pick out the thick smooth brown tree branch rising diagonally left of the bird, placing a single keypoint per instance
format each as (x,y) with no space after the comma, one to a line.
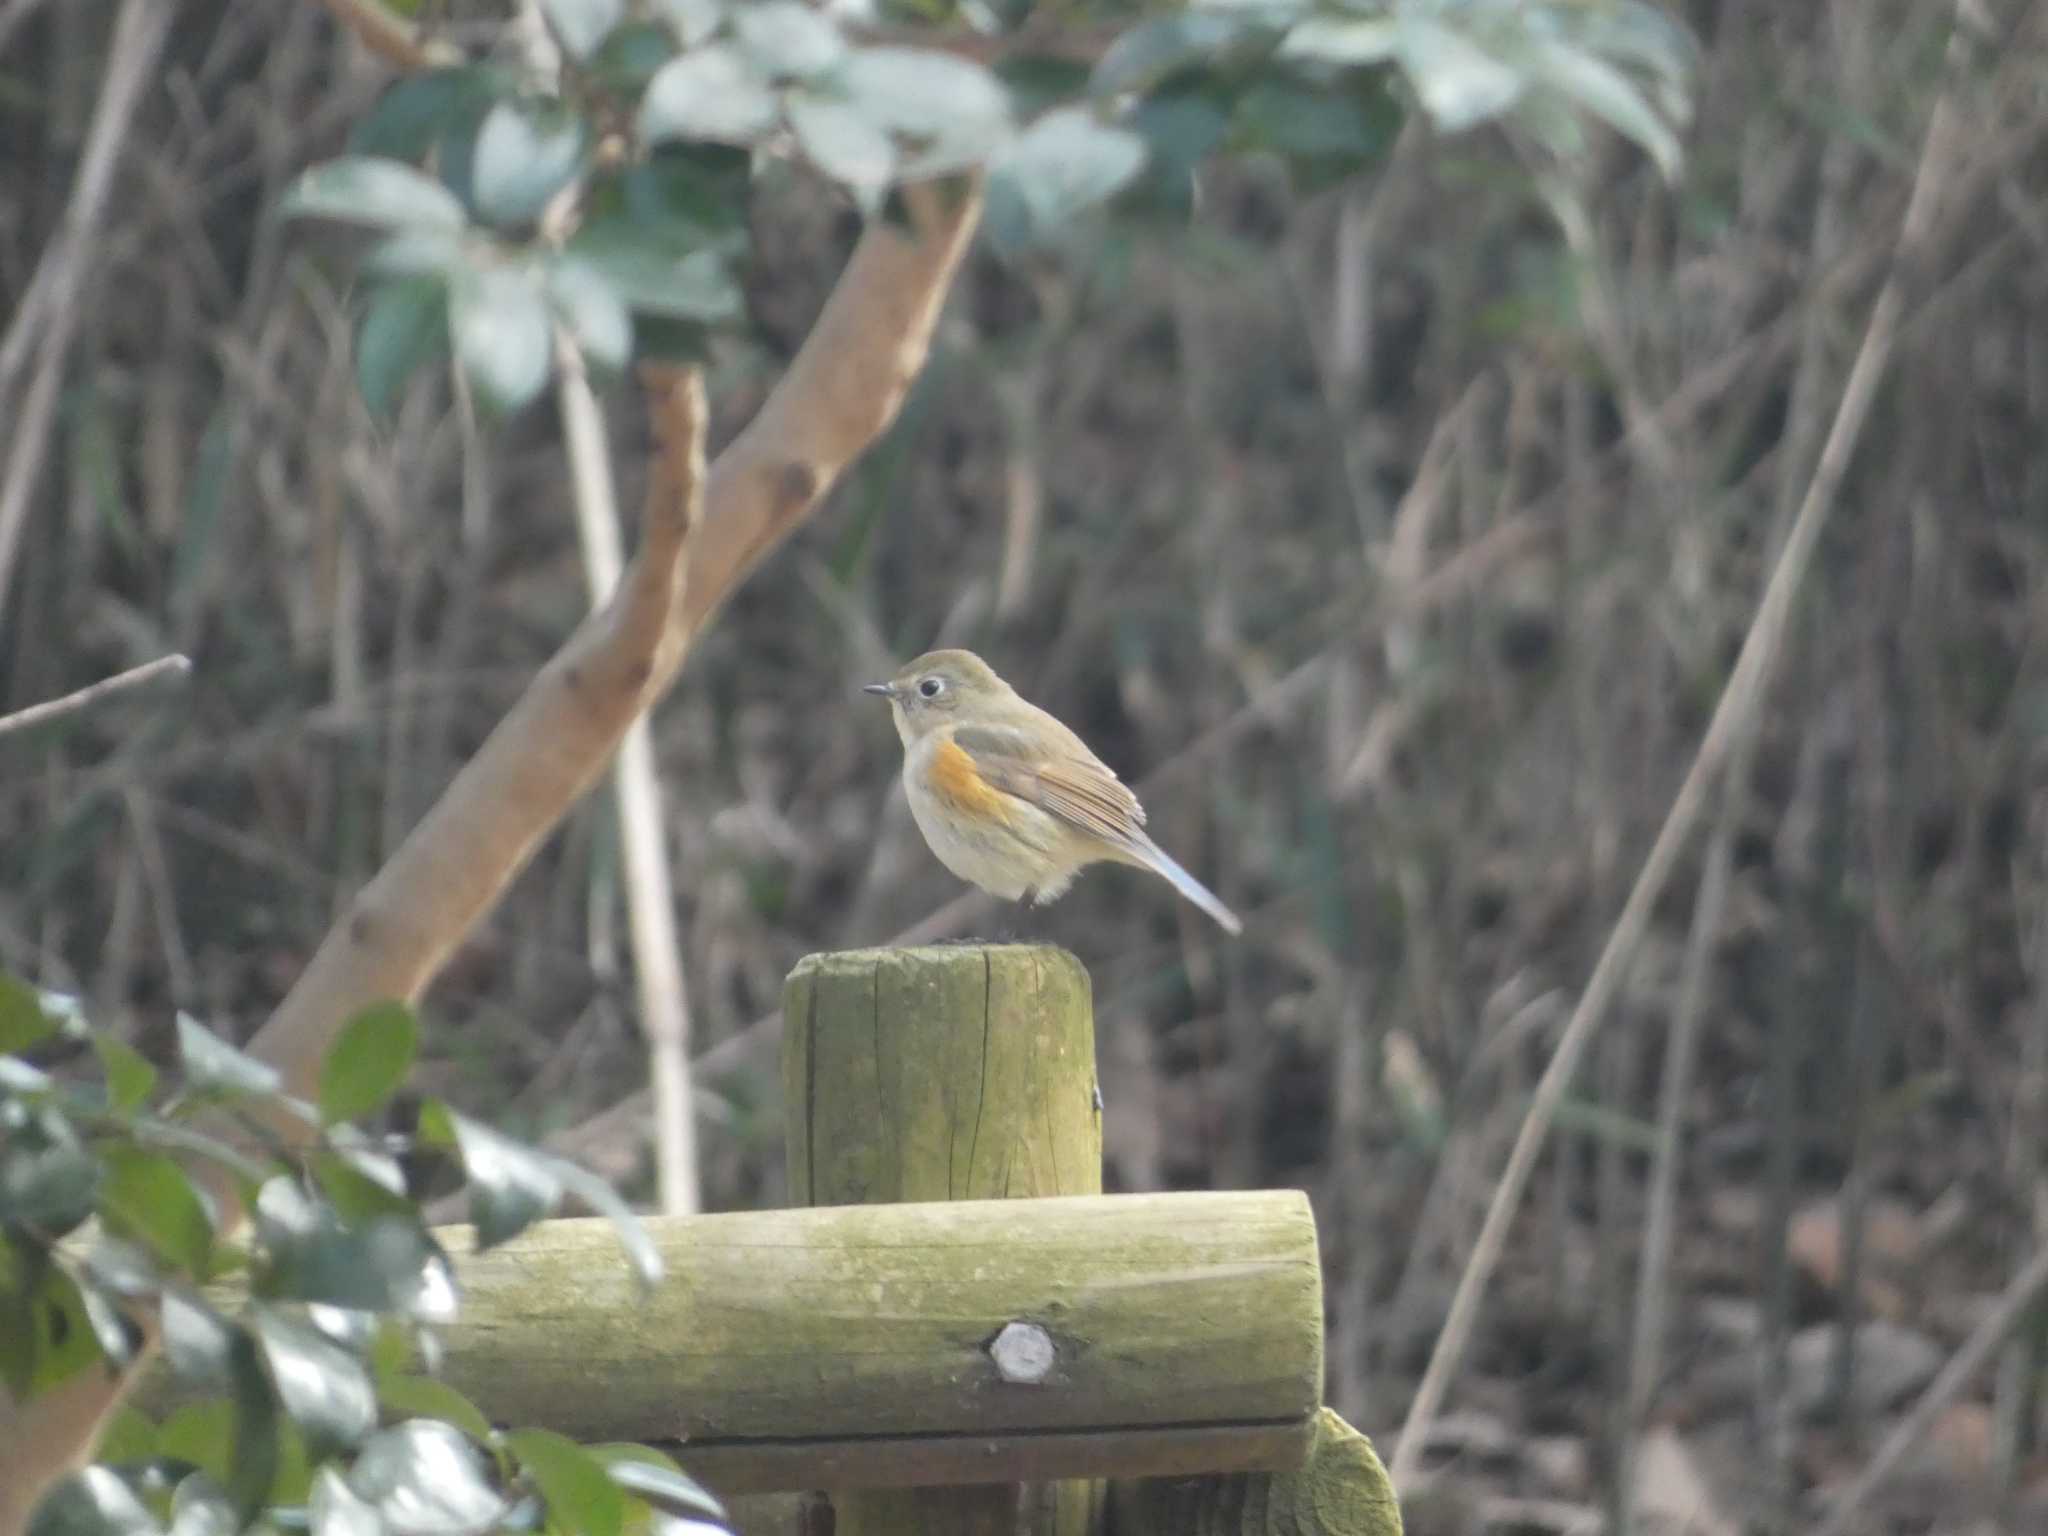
(701,536)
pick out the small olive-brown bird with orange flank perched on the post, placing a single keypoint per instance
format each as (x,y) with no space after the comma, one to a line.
(1007,796)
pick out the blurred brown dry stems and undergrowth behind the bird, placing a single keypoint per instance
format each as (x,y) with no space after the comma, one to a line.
(1390,542)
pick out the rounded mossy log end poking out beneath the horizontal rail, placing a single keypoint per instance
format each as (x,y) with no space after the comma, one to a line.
(1340,1492)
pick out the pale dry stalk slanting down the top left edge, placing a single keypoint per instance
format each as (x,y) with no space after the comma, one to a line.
(130,69)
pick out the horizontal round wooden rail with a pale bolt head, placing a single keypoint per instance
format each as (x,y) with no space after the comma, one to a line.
(919,1345)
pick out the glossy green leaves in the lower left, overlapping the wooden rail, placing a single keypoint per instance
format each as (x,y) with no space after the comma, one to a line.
(302,1406)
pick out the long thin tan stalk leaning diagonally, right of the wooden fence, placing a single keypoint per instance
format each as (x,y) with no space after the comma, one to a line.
(1732,714)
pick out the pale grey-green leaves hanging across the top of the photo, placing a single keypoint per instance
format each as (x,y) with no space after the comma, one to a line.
(488,183)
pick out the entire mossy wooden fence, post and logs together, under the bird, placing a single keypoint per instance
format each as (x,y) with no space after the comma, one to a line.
(933,1357)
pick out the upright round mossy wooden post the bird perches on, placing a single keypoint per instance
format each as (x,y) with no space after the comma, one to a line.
(945,1074)
